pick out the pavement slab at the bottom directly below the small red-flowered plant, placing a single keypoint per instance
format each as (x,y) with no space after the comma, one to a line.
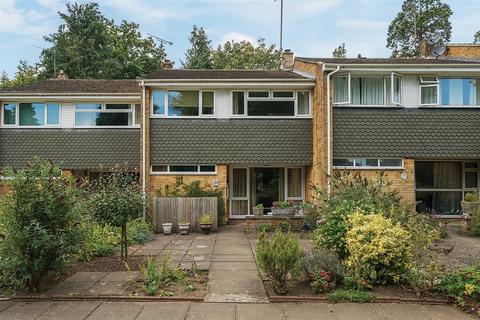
(308,311)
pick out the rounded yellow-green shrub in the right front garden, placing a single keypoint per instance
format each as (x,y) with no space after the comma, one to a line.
(379,250)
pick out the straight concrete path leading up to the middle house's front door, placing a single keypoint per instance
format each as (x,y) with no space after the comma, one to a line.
(233,274)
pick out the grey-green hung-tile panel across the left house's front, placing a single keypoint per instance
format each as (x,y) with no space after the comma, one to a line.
(76,148)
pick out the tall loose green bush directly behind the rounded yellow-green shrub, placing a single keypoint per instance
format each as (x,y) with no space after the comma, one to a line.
(350,193)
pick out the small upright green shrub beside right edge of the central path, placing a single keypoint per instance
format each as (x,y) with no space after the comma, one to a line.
(278,256)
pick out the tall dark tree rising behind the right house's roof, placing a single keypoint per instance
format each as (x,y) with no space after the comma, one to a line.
(417,20)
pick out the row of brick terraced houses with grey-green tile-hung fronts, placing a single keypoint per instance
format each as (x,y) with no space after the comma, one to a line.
(264,136)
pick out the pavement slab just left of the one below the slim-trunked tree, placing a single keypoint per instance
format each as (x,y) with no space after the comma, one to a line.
(67,310)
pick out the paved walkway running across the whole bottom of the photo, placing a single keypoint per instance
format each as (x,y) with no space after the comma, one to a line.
(93,310)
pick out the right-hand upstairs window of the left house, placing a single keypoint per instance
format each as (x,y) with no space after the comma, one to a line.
(104,115)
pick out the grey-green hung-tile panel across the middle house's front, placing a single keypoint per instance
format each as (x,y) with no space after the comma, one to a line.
(233,141)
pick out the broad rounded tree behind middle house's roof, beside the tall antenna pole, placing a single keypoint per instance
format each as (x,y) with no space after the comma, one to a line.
(244,55)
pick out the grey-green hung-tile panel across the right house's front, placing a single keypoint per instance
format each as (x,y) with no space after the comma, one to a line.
(410,133)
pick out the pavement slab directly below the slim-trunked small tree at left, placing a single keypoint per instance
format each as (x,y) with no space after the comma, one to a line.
(116,311)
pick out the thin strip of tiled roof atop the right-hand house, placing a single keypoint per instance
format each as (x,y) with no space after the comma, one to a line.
(407,61)
